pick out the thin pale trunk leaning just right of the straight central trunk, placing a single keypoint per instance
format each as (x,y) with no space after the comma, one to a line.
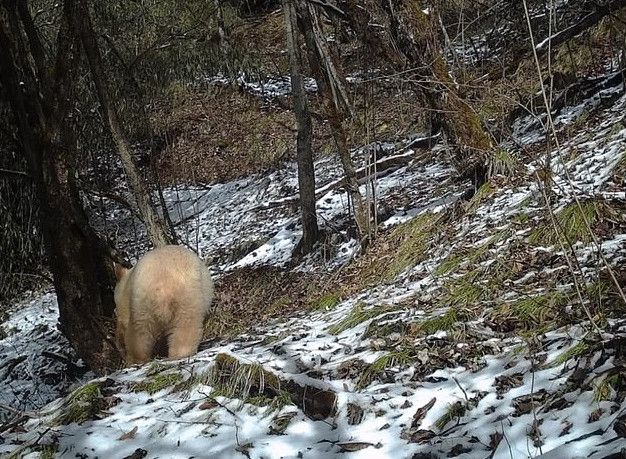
(332,88)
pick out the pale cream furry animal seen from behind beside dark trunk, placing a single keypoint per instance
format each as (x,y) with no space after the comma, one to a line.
(167,294)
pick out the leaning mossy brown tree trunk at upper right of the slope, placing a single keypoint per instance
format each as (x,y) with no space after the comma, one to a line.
(413,41)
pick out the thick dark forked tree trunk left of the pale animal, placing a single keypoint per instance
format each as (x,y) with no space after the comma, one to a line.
(45,131)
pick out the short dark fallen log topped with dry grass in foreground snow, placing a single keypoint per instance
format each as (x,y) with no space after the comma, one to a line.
(242,380)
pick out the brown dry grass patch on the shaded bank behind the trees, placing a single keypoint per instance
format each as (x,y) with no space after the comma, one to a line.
(221,136)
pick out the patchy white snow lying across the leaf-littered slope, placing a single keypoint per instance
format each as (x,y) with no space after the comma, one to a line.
(518,398)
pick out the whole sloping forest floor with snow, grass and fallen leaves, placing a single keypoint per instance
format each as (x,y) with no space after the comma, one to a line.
(468,328)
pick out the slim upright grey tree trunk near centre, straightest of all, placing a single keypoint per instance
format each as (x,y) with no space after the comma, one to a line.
(306,172)
